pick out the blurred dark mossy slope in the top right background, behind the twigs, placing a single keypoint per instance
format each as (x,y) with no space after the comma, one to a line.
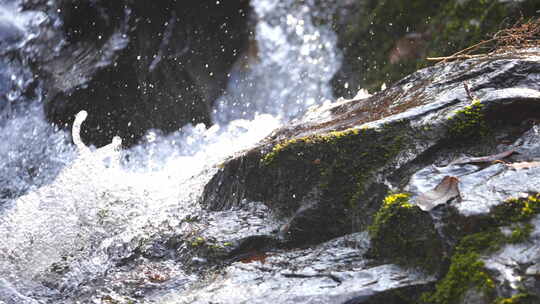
(383,41)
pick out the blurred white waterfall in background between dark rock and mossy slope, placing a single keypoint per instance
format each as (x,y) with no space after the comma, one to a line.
(290,67)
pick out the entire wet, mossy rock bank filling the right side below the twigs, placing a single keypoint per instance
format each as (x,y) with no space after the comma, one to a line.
(460,138)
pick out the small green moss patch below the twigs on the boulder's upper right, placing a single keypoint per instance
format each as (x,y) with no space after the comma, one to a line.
(469,122)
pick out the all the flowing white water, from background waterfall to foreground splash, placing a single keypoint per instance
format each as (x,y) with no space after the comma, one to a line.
(71,217)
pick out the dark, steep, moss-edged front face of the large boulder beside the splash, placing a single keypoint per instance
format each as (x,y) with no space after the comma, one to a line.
(320,183)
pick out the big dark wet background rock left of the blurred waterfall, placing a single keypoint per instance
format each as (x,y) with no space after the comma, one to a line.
(136,65)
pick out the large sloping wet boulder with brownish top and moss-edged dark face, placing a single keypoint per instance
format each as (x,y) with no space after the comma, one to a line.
(353,153)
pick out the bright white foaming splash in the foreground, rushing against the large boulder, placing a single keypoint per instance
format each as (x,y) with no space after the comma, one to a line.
(94,205)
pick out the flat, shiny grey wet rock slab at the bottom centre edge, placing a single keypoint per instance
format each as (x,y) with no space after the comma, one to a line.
(332,272)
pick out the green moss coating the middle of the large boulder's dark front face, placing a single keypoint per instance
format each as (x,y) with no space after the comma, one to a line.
(340,165)
